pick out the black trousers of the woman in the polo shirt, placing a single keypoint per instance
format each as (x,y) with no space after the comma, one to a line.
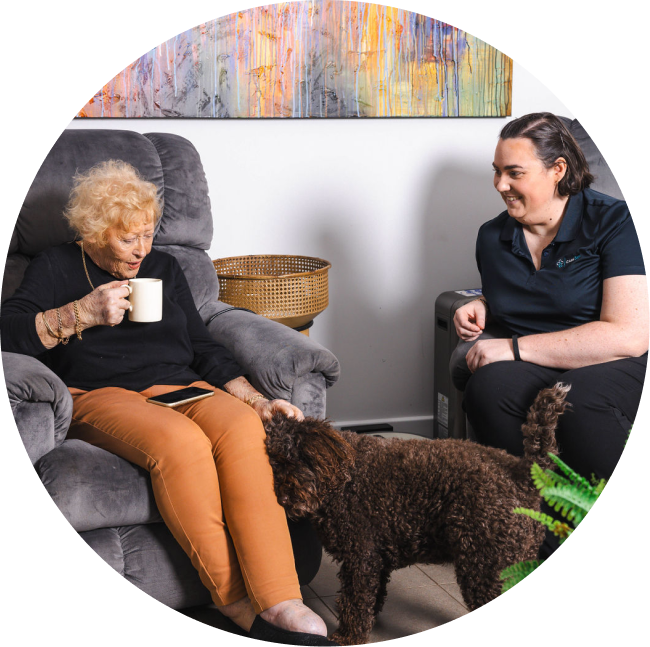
(591,434)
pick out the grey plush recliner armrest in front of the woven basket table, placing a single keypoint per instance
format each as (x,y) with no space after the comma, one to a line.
(276,358)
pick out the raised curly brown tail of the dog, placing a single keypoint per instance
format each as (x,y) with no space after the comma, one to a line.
(541,423)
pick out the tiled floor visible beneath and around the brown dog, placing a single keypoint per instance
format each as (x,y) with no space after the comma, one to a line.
(419,598)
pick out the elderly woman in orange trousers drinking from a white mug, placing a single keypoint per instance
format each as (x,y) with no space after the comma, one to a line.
(209,470)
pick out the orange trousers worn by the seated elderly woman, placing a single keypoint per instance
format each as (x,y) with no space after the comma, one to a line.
(212,483)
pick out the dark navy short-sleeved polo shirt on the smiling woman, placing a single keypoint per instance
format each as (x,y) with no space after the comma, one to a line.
(597,240)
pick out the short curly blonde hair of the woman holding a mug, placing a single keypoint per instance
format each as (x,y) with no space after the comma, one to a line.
(111,194)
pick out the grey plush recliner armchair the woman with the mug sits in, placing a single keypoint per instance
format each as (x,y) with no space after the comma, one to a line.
(106,500)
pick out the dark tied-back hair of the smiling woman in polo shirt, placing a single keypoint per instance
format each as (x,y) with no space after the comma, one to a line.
(552,139)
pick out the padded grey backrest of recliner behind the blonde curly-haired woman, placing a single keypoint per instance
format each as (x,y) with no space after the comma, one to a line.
(171,162)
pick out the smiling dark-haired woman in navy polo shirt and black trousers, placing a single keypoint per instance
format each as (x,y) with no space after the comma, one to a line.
(566,299)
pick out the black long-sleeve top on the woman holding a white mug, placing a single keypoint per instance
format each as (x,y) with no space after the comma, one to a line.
(177,350)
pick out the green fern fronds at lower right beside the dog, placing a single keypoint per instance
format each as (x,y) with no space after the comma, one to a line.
(569,494)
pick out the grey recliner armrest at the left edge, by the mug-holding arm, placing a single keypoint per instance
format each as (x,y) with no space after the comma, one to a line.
(40,403)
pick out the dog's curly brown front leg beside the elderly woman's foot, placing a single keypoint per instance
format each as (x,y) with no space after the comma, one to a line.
(361,582)
